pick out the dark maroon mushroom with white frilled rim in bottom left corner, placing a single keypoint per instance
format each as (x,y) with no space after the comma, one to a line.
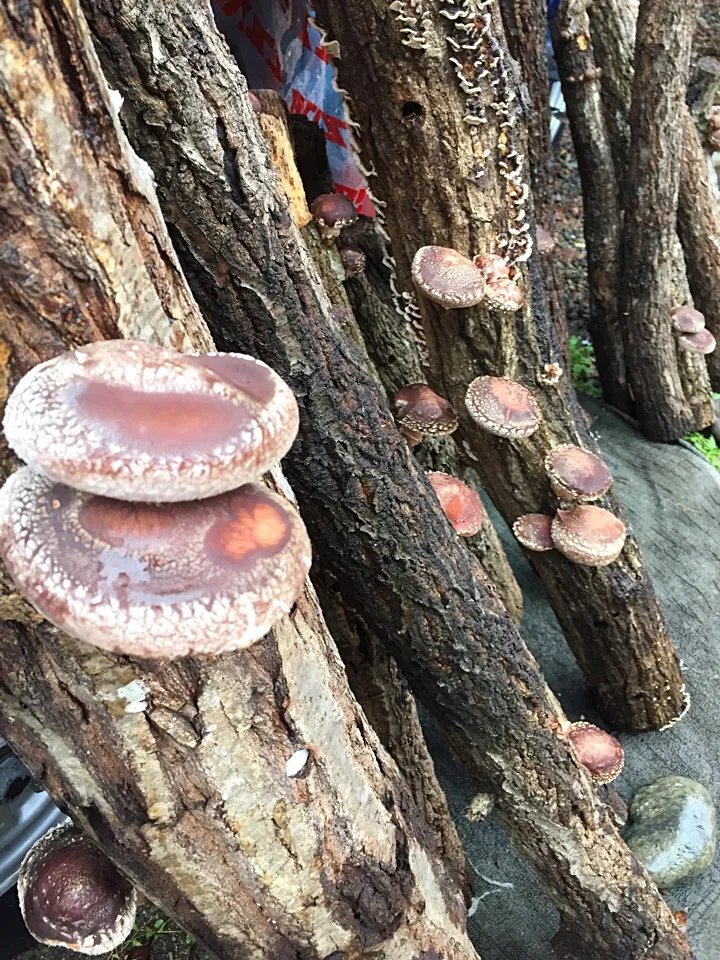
(72,896)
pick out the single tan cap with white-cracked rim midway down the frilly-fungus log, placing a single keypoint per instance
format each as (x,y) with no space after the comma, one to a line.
(503,407)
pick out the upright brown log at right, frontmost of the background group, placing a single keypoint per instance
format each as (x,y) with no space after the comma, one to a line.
(665,407)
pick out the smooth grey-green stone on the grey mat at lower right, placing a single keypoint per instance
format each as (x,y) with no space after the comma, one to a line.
(672,829)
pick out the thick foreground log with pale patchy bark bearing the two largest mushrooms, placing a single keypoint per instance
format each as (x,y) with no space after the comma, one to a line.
(178,770)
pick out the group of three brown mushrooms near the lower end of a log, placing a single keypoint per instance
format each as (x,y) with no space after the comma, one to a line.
(581,531)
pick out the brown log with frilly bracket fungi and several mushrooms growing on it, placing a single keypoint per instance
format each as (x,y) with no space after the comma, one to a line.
(610,616)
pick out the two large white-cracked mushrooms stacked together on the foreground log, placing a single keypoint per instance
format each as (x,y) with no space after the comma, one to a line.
(138,525)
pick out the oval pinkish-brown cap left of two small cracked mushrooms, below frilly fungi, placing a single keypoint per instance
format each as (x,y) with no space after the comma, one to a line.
(447,277)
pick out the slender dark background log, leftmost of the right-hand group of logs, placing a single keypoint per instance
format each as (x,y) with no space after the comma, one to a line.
(601,203)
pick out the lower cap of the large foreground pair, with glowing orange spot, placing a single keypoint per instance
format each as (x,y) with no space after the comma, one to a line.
(154,580)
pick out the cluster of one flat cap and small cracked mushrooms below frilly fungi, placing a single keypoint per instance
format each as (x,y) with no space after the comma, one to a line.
(454,281)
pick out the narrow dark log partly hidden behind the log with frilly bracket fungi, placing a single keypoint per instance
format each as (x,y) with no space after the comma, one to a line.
(525,24)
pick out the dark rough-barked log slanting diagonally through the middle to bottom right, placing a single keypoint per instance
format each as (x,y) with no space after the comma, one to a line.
(365,500)
